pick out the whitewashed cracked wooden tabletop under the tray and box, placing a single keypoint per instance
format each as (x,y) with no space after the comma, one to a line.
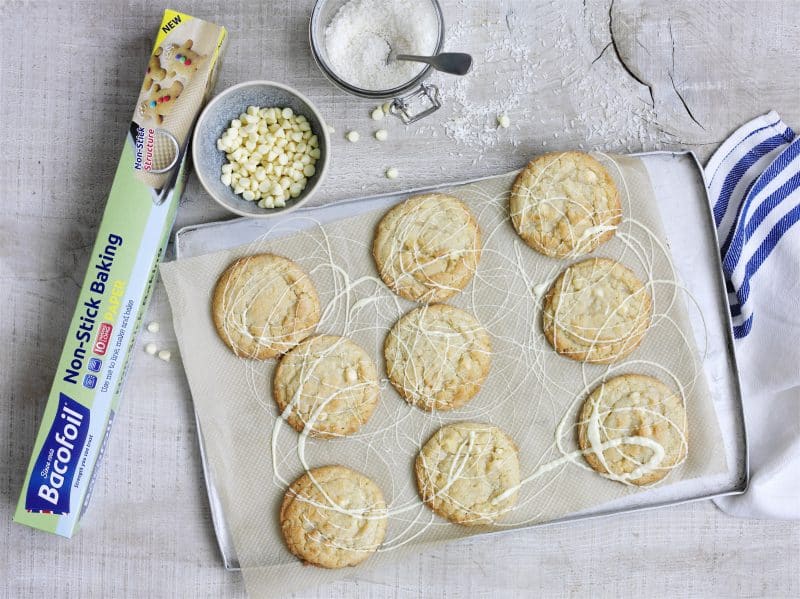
(620,76)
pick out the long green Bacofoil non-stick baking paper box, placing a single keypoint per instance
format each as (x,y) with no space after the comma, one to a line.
(133,234)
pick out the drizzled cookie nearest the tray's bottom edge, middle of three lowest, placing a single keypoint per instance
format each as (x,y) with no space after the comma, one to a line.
(469,473)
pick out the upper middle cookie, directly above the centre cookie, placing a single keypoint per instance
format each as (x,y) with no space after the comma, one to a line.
(427,248)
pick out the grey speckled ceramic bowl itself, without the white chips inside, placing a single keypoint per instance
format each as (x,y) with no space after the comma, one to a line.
(216,118)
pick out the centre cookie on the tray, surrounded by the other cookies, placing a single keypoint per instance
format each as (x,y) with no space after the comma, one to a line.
(437,357)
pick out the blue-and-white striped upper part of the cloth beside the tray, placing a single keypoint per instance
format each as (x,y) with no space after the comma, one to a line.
(754,186)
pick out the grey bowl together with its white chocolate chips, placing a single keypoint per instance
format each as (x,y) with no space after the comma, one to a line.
(260,149)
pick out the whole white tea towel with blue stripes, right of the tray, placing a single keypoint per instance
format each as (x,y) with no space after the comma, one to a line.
(754,187)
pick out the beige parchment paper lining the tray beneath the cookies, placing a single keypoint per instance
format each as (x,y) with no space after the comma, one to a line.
(530,389)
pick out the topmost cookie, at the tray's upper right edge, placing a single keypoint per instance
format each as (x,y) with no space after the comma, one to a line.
(565,204)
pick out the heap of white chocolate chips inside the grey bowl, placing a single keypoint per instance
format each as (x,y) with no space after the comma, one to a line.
(270,153)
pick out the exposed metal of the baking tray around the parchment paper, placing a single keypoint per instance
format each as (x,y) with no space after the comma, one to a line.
(680,191)
